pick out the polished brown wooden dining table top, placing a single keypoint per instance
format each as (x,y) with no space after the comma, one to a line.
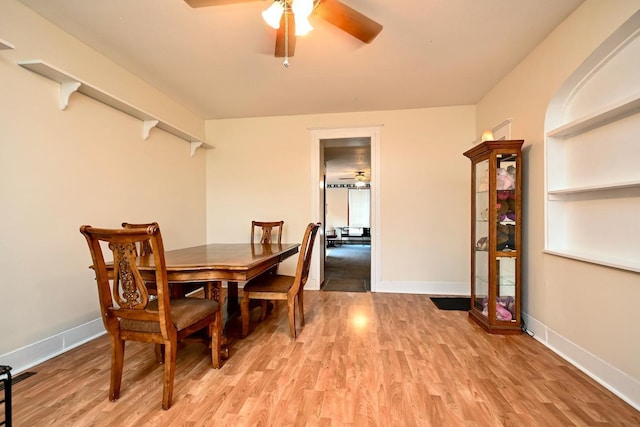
(220,261)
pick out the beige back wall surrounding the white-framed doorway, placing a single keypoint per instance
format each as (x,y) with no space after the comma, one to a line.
(261,168)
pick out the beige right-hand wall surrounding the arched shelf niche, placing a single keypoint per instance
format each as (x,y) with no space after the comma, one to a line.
(576,304)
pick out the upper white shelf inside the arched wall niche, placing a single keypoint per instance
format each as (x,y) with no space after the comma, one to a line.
(599,118)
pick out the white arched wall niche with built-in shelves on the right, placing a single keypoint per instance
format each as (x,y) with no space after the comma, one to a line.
(591,157)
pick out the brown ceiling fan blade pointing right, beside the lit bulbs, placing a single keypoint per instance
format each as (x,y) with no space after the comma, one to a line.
(348,20)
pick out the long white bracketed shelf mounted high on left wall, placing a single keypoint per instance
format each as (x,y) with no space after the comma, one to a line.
(70,84)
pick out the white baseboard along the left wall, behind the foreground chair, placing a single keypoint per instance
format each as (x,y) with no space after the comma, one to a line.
(33,354)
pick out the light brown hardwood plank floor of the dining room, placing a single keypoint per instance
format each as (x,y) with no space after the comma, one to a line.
(362,359)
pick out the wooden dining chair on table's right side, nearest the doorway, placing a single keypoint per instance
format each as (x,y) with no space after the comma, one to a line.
(281,287)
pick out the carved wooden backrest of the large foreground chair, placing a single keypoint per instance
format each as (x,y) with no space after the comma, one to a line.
(123,294)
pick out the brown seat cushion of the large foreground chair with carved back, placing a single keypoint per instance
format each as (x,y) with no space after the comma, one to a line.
(184,313)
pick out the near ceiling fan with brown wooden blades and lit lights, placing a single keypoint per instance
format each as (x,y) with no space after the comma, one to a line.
(289,17)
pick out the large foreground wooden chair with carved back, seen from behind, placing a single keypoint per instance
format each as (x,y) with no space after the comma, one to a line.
(130,313)
